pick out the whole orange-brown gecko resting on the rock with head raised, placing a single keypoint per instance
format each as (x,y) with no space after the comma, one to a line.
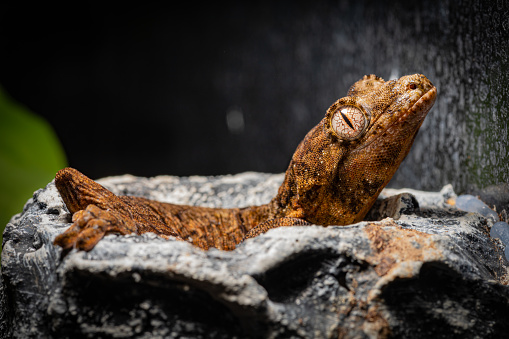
(334,176)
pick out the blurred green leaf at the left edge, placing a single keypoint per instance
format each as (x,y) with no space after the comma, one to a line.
(30,155)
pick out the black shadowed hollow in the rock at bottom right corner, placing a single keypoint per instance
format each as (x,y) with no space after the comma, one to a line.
(444,302)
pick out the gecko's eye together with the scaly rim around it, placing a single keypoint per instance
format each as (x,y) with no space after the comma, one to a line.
(347,120)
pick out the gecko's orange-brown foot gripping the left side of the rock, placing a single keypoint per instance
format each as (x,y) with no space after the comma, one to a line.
(91,225)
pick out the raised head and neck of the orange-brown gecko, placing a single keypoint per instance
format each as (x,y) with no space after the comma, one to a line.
(341,166)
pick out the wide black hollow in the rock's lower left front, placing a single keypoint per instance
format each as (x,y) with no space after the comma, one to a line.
(115,304)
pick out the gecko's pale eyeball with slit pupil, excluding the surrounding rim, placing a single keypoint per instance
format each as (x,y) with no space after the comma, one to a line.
(348,122)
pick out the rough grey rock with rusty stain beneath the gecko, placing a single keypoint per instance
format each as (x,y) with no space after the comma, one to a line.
(425,269)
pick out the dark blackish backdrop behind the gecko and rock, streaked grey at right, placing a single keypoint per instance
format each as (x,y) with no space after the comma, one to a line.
(149,89)
